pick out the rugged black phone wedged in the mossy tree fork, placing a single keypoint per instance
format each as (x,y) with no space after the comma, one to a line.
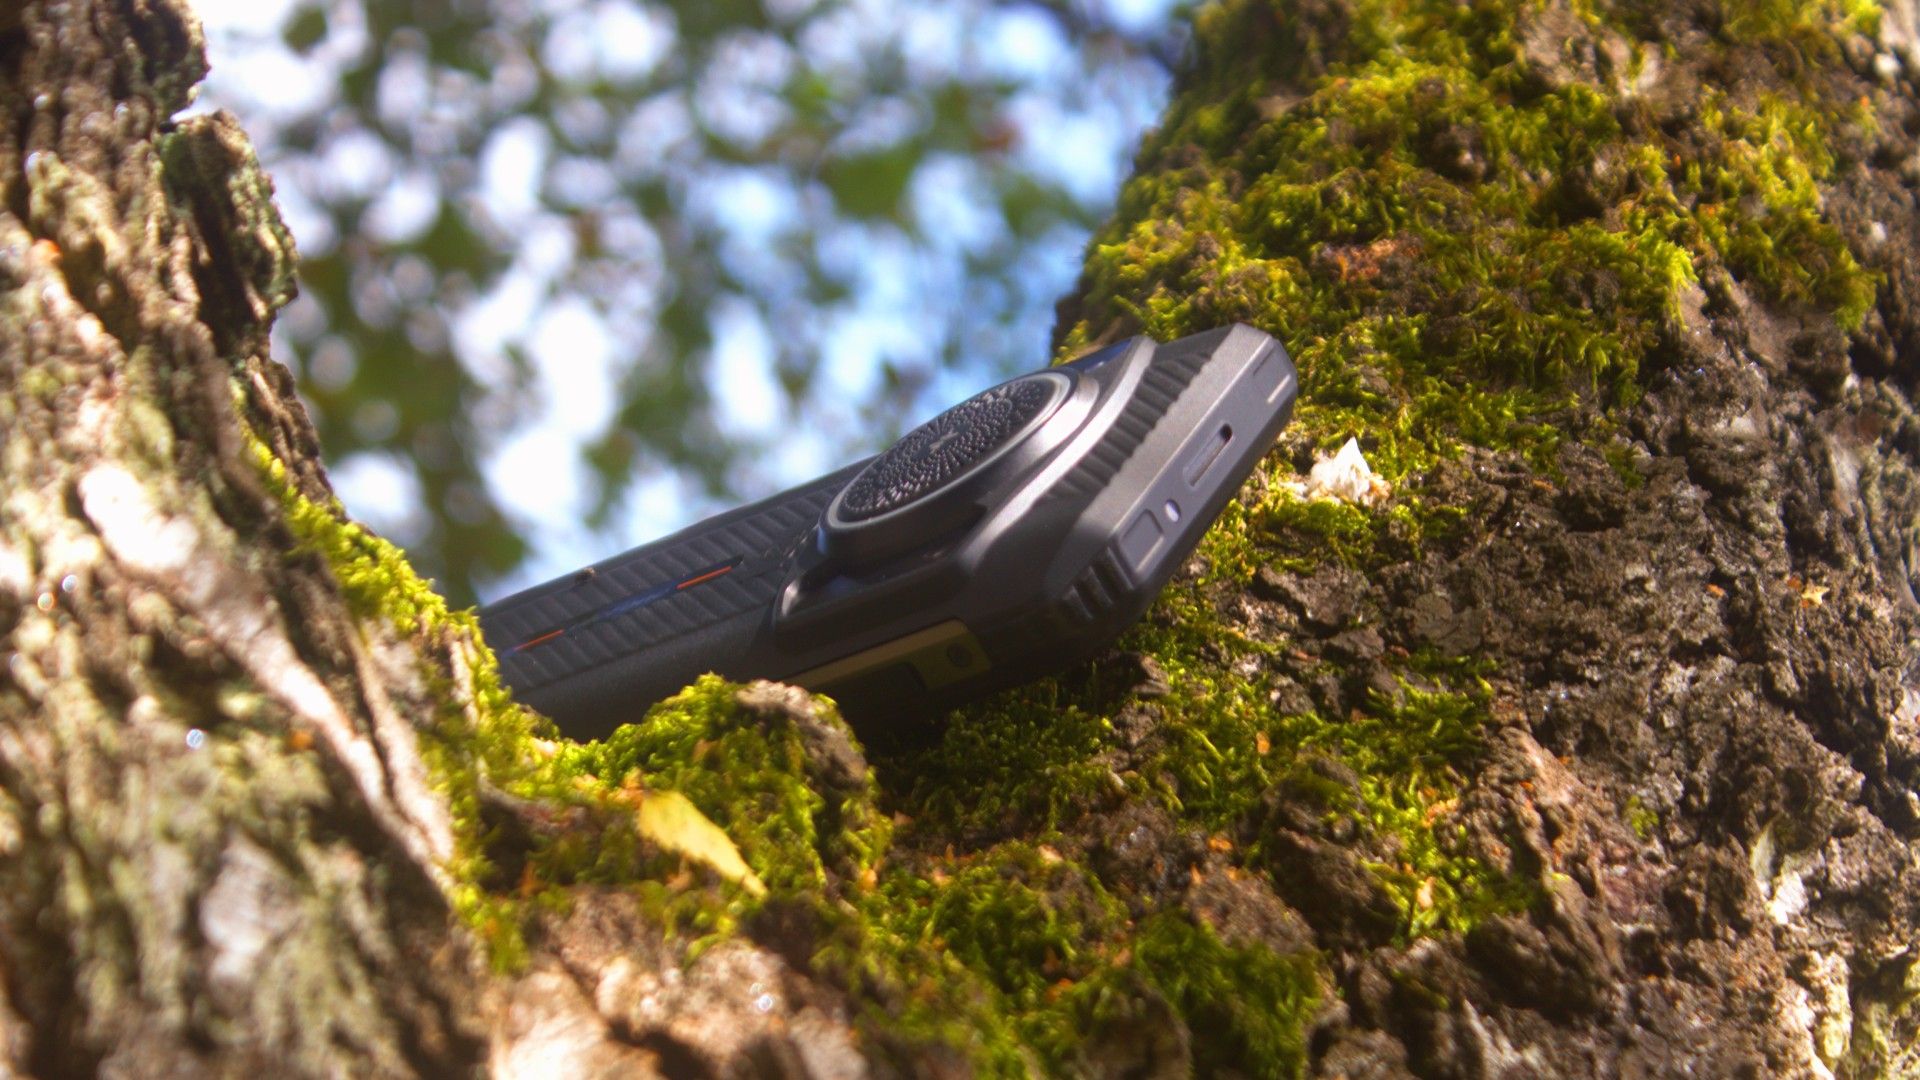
(1009,537)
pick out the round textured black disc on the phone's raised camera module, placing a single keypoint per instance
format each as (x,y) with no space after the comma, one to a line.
(948,447)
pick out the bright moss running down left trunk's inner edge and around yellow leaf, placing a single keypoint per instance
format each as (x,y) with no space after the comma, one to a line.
(485,739)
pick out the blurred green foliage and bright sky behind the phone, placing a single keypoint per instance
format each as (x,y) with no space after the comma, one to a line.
(527,226)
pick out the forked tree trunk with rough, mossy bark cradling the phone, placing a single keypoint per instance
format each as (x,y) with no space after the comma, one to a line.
(1583,745)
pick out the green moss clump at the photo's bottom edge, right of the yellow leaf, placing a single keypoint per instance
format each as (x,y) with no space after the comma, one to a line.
(1019,956)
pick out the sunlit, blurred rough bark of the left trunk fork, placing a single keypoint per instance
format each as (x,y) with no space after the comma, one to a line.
(222,852)
